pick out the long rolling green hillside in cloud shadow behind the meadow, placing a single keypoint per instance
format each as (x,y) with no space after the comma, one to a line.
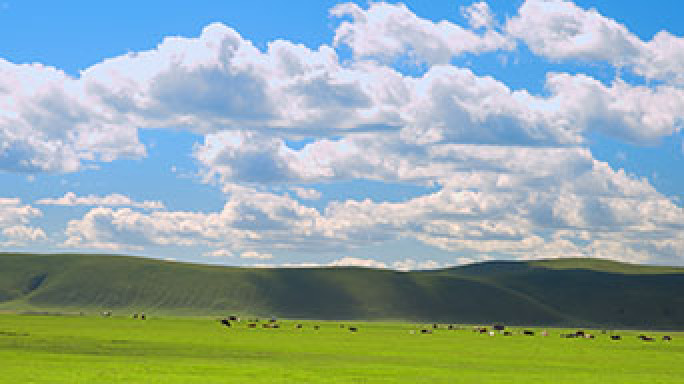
(553,292)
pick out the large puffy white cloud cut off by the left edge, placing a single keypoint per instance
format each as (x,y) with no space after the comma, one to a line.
(48,122)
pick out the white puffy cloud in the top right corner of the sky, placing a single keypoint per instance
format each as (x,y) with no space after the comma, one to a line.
(561,30)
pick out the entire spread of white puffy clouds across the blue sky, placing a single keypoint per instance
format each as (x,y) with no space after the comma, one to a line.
(511,170)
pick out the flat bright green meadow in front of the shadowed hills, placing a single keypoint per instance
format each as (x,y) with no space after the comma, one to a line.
(88,349)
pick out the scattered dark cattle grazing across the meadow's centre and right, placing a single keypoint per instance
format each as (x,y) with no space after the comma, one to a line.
(498,329)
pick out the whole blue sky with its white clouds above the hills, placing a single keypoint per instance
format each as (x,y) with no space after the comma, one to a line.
(394,135)
